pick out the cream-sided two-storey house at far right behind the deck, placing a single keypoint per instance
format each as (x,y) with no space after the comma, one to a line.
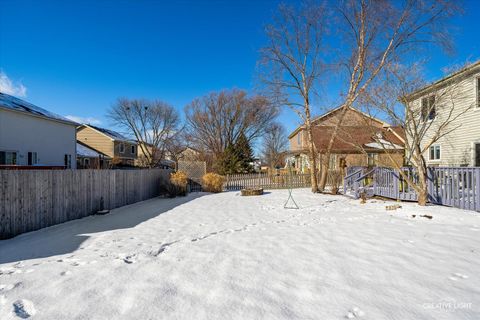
(460,92)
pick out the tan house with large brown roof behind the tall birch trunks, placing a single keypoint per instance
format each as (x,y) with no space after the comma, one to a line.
(358,143)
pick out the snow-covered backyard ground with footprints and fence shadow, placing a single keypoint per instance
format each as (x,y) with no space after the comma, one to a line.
(229,257)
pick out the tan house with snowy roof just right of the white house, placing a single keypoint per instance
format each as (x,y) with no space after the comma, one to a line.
(113,145)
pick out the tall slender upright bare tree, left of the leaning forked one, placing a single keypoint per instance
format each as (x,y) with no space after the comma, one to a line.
(291,64)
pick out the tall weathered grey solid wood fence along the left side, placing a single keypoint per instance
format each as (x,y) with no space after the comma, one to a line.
(35,199)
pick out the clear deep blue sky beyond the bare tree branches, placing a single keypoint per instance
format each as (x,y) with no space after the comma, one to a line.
(77,57)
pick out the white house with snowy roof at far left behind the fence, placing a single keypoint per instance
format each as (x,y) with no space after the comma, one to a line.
(32,136)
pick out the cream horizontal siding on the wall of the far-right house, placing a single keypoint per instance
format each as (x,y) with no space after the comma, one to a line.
(457,146)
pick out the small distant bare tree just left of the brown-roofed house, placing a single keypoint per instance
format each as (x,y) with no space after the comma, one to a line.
(275,146)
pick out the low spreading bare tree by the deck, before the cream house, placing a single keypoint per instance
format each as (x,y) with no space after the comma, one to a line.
(426,115)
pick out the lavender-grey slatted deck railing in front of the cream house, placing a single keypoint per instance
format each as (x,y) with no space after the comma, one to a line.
(450,186)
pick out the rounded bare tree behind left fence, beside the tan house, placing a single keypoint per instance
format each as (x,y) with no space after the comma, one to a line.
(153,124)
